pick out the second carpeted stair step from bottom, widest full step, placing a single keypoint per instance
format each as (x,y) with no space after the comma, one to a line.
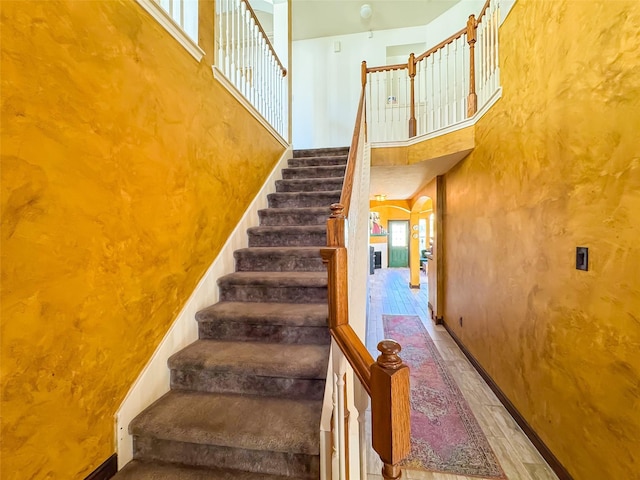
(267,435)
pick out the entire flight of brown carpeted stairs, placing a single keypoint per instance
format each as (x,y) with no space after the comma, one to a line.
(246,398)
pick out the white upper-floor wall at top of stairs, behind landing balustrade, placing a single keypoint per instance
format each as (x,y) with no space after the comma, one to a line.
(326,84)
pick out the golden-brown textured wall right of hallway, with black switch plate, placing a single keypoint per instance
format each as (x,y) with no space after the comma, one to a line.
(557,166)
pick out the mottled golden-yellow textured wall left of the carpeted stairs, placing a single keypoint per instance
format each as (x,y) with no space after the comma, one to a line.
(125,167)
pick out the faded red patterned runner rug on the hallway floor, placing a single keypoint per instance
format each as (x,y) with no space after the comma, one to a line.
(445,436)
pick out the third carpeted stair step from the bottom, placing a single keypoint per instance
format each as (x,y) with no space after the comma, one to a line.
(251,368)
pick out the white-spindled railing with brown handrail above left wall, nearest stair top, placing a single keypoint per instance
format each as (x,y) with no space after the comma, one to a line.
(247,59)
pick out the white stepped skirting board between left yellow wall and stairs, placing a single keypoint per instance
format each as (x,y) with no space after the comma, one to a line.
(153,381)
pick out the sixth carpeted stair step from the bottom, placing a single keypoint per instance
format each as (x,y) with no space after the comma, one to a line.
(279,259)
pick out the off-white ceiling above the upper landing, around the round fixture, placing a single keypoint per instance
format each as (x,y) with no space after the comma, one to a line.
(323,18)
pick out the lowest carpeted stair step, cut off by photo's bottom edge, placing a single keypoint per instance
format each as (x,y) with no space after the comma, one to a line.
(138,470)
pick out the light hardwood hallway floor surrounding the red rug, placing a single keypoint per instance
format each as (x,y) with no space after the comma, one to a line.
(390,294)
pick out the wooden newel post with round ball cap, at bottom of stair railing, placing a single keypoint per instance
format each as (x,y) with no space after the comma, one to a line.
(390,426)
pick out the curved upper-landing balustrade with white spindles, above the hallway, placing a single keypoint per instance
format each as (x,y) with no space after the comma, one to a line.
(439,88)
